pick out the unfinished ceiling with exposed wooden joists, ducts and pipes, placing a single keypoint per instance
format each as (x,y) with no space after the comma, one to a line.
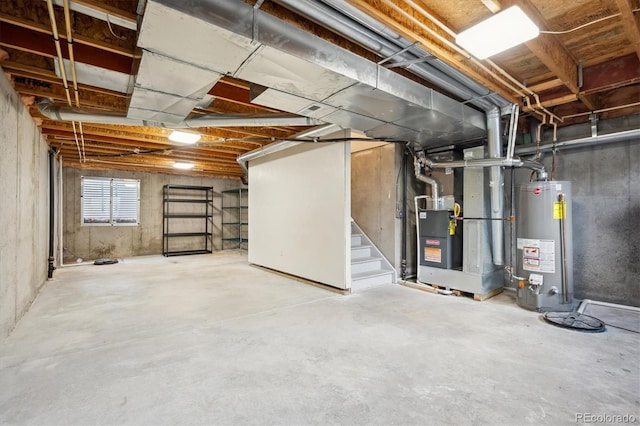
(145,67)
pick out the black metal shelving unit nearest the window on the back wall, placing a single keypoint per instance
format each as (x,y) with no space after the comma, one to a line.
(187,214)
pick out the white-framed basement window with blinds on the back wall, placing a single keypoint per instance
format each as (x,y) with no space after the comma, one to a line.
(110,202)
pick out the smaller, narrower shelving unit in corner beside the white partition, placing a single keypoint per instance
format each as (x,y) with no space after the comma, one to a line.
(235,217)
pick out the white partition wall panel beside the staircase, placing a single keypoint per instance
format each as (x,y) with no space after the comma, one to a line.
(299,212)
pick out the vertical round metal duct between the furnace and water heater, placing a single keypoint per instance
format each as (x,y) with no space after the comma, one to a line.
(496,186)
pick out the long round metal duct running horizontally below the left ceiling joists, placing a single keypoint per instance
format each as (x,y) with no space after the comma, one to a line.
(53,112)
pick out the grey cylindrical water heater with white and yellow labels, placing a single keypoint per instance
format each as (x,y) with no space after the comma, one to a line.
(544,247)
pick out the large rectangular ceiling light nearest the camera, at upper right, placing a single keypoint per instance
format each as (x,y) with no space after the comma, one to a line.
(502,31)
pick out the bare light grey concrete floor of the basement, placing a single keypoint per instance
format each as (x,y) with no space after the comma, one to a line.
(211,340)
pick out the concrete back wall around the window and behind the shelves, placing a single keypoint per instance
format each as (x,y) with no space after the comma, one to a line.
(94,242)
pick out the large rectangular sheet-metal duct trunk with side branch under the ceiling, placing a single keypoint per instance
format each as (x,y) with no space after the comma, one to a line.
(295,72)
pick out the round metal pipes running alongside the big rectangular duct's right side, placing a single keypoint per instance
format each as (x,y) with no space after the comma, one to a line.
(364,30)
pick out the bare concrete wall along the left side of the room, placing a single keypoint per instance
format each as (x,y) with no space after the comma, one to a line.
(24,209)
